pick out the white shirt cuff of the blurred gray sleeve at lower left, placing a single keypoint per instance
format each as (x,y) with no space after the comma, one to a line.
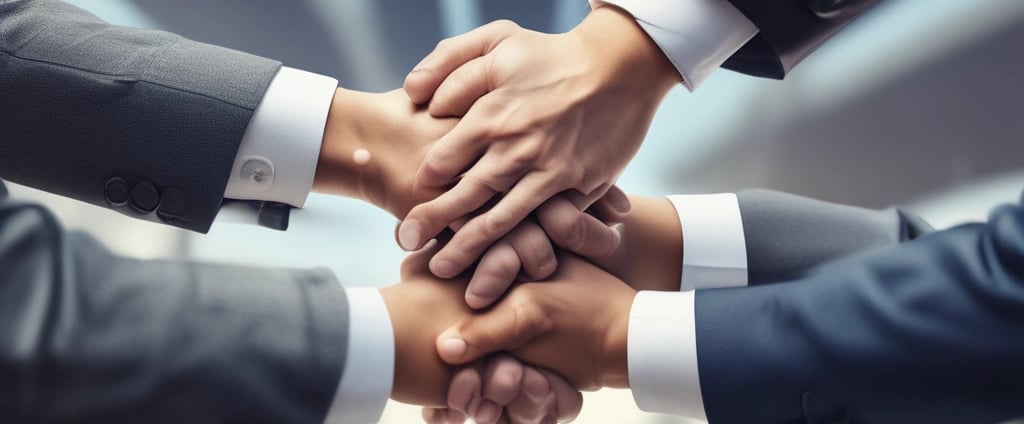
(366,384)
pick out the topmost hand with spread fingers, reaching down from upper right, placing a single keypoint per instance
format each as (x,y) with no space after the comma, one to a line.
(545,114)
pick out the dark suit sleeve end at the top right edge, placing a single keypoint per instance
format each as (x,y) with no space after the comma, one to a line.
(789,31)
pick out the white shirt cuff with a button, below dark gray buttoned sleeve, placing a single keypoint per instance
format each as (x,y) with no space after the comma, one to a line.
(277,159)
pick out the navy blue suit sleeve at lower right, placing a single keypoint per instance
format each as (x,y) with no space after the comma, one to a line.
(928,331)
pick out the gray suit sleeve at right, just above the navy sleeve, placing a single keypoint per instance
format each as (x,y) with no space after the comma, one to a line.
(787,236)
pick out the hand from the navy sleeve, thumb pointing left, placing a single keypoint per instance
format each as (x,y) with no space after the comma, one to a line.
(574,324)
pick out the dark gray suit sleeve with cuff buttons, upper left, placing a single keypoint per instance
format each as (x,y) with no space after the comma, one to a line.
(144,122)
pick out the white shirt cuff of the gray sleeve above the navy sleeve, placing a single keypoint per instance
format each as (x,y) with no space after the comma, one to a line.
(714,247)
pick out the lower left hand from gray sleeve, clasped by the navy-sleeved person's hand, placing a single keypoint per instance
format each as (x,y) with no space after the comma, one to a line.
(496,388)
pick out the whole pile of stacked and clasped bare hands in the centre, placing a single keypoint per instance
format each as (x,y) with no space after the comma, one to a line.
(509,136)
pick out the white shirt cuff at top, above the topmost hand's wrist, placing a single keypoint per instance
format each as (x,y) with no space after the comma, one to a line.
(697,35)
